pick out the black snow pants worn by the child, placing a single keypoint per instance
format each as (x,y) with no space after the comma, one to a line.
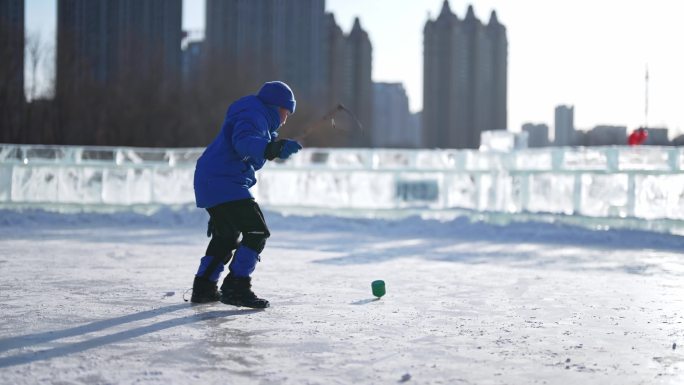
(230,220)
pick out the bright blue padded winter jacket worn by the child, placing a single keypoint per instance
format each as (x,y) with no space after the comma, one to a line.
(225,171)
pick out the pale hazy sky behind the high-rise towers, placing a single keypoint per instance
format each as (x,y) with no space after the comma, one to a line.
(588,53)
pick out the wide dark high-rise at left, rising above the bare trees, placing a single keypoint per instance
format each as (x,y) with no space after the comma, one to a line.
(117,42)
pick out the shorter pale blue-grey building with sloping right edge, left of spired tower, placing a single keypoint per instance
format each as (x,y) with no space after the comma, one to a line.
(392,122)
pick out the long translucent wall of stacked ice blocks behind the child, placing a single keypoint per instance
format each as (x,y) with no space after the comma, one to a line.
(622,182)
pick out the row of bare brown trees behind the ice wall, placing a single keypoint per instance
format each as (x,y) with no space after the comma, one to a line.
(141,105)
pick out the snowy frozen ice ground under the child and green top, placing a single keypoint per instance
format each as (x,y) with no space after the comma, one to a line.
(97,299)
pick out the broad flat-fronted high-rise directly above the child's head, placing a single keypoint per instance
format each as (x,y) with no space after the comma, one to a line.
(271,39)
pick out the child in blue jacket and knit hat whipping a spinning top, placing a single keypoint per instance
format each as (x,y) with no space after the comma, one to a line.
(223,175)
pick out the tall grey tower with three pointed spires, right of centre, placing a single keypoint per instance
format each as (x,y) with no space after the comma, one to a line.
(464,76)
